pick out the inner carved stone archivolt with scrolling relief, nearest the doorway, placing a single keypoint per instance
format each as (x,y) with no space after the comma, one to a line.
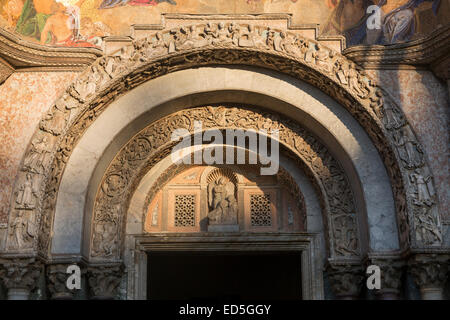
(124,173)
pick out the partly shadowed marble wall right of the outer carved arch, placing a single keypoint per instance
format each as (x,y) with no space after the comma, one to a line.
(425,102)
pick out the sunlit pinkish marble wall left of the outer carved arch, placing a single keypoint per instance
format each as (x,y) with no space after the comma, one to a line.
(24,98)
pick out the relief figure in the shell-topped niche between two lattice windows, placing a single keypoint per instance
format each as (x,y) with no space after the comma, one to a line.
(222,202)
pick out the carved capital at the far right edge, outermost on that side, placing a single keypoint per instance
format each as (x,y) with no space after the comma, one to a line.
(430,272)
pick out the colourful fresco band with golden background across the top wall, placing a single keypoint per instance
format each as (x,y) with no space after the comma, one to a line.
(83,23)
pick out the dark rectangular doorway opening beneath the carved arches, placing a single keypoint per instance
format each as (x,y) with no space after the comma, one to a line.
(224,275)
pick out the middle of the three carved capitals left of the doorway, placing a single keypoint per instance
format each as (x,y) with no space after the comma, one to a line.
(57,282)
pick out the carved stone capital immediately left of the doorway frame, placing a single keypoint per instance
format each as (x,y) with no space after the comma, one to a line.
(104,281)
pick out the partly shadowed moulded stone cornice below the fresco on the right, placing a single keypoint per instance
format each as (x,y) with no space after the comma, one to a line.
(426,52)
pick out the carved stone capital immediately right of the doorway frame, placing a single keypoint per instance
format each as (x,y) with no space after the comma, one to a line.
(346,279)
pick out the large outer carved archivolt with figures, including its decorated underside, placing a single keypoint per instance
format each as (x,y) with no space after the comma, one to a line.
(230,44)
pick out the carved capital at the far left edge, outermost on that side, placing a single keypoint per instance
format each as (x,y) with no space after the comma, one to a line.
(20,276)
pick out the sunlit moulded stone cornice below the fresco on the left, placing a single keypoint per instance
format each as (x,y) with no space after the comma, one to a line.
(21,54)
